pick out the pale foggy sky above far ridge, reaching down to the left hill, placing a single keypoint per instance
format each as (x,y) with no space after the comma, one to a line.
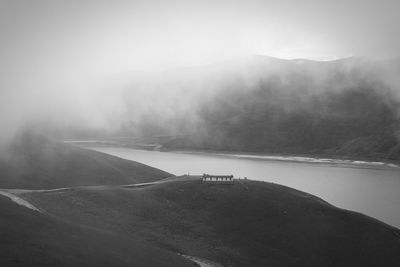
(56,56)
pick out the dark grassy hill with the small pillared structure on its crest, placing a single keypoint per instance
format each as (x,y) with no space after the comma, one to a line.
(266,225)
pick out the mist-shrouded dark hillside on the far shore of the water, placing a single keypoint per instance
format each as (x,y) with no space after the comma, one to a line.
(348,107)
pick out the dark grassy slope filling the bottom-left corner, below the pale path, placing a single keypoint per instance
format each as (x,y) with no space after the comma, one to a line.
(32,239)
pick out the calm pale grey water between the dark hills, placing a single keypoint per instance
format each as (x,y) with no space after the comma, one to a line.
(372,191)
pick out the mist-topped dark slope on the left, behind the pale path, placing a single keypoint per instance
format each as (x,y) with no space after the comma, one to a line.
(35,162)
